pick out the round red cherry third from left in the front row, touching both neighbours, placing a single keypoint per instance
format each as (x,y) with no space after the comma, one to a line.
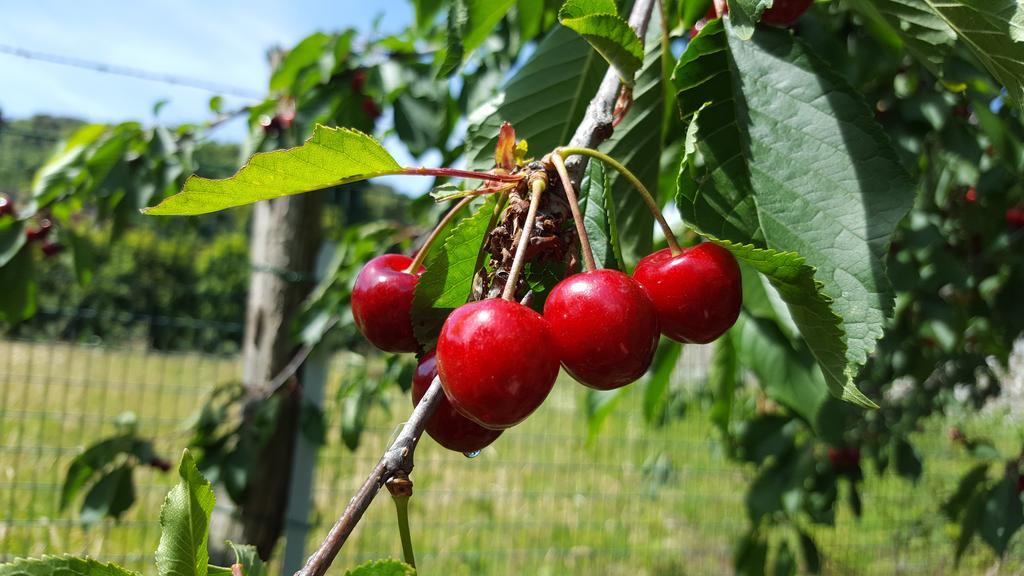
(606,327)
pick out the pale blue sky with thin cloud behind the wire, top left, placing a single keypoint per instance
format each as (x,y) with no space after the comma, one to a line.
(220,42)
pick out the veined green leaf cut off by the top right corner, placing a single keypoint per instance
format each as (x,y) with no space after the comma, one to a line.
(994,30)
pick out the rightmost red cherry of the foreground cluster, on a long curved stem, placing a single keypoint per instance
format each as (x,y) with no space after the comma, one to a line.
(698,293)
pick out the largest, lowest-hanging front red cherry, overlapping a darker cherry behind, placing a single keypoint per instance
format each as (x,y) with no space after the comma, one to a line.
(497,361)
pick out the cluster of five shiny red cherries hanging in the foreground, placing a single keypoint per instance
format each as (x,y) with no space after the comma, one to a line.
(498,359)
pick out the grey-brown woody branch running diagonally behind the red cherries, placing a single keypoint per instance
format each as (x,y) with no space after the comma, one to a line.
(596,128)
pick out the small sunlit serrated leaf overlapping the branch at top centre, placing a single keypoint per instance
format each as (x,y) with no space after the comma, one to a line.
(599,22)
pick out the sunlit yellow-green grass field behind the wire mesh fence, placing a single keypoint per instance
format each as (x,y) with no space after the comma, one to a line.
(540,502)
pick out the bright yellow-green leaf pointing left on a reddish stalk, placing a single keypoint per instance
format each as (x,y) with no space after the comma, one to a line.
(331,157)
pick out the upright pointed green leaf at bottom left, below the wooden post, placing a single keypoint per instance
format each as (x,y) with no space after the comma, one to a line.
(185,522)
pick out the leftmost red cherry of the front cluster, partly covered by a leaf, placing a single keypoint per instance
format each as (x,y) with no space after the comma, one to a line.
(382,303)
